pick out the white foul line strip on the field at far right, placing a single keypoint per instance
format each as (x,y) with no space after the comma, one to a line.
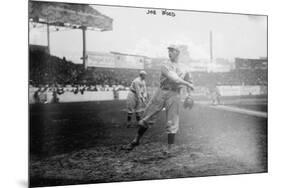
(240,110)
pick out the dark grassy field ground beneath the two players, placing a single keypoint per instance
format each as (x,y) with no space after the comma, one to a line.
(74,143)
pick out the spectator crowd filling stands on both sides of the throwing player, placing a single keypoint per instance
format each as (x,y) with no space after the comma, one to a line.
(60,73)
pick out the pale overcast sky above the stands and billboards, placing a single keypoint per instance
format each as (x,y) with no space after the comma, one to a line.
(136,32)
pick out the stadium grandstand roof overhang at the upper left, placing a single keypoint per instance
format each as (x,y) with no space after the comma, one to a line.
(69,15)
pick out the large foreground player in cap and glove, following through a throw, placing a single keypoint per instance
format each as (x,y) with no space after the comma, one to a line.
(167,96)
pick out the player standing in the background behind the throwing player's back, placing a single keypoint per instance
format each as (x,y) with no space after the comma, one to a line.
(136,98)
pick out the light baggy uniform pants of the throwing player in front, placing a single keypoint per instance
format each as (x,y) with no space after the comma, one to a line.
(170,100)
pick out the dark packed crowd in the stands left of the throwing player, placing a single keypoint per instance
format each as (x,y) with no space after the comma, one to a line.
(46,69)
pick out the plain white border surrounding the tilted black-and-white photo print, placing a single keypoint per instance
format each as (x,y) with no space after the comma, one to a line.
(13,93)
